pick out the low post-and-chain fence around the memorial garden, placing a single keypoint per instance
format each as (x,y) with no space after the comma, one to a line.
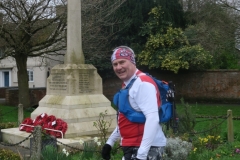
(37,143)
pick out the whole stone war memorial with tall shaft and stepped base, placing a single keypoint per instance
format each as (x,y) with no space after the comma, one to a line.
(74,91)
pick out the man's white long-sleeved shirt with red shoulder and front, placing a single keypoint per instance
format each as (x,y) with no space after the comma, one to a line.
(142,97)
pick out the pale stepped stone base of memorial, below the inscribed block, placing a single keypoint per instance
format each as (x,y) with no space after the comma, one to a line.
(80,112)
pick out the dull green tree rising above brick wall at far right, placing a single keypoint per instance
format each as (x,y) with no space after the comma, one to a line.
(214,26)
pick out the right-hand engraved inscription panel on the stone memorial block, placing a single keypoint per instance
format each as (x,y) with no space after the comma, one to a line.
(84,83)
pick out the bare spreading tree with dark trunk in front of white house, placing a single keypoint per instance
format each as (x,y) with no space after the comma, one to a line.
(30,28)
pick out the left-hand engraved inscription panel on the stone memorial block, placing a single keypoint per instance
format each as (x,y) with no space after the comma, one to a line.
(58,82)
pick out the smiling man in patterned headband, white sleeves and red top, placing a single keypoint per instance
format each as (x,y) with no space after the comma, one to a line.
(139,141)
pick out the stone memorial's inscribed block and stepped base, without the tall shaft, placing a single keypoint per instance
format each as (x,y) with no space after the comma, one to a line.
(74,94)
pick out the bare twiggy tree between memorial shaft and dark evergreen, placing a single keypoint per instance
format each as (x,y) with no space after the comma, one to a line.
(99,28)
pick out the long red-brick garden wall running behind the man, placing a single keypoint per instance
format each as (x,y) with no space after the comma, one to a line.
(212,86)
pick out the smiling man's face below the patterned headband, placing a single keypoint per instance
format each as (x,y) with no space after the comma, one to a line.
(123,68)
